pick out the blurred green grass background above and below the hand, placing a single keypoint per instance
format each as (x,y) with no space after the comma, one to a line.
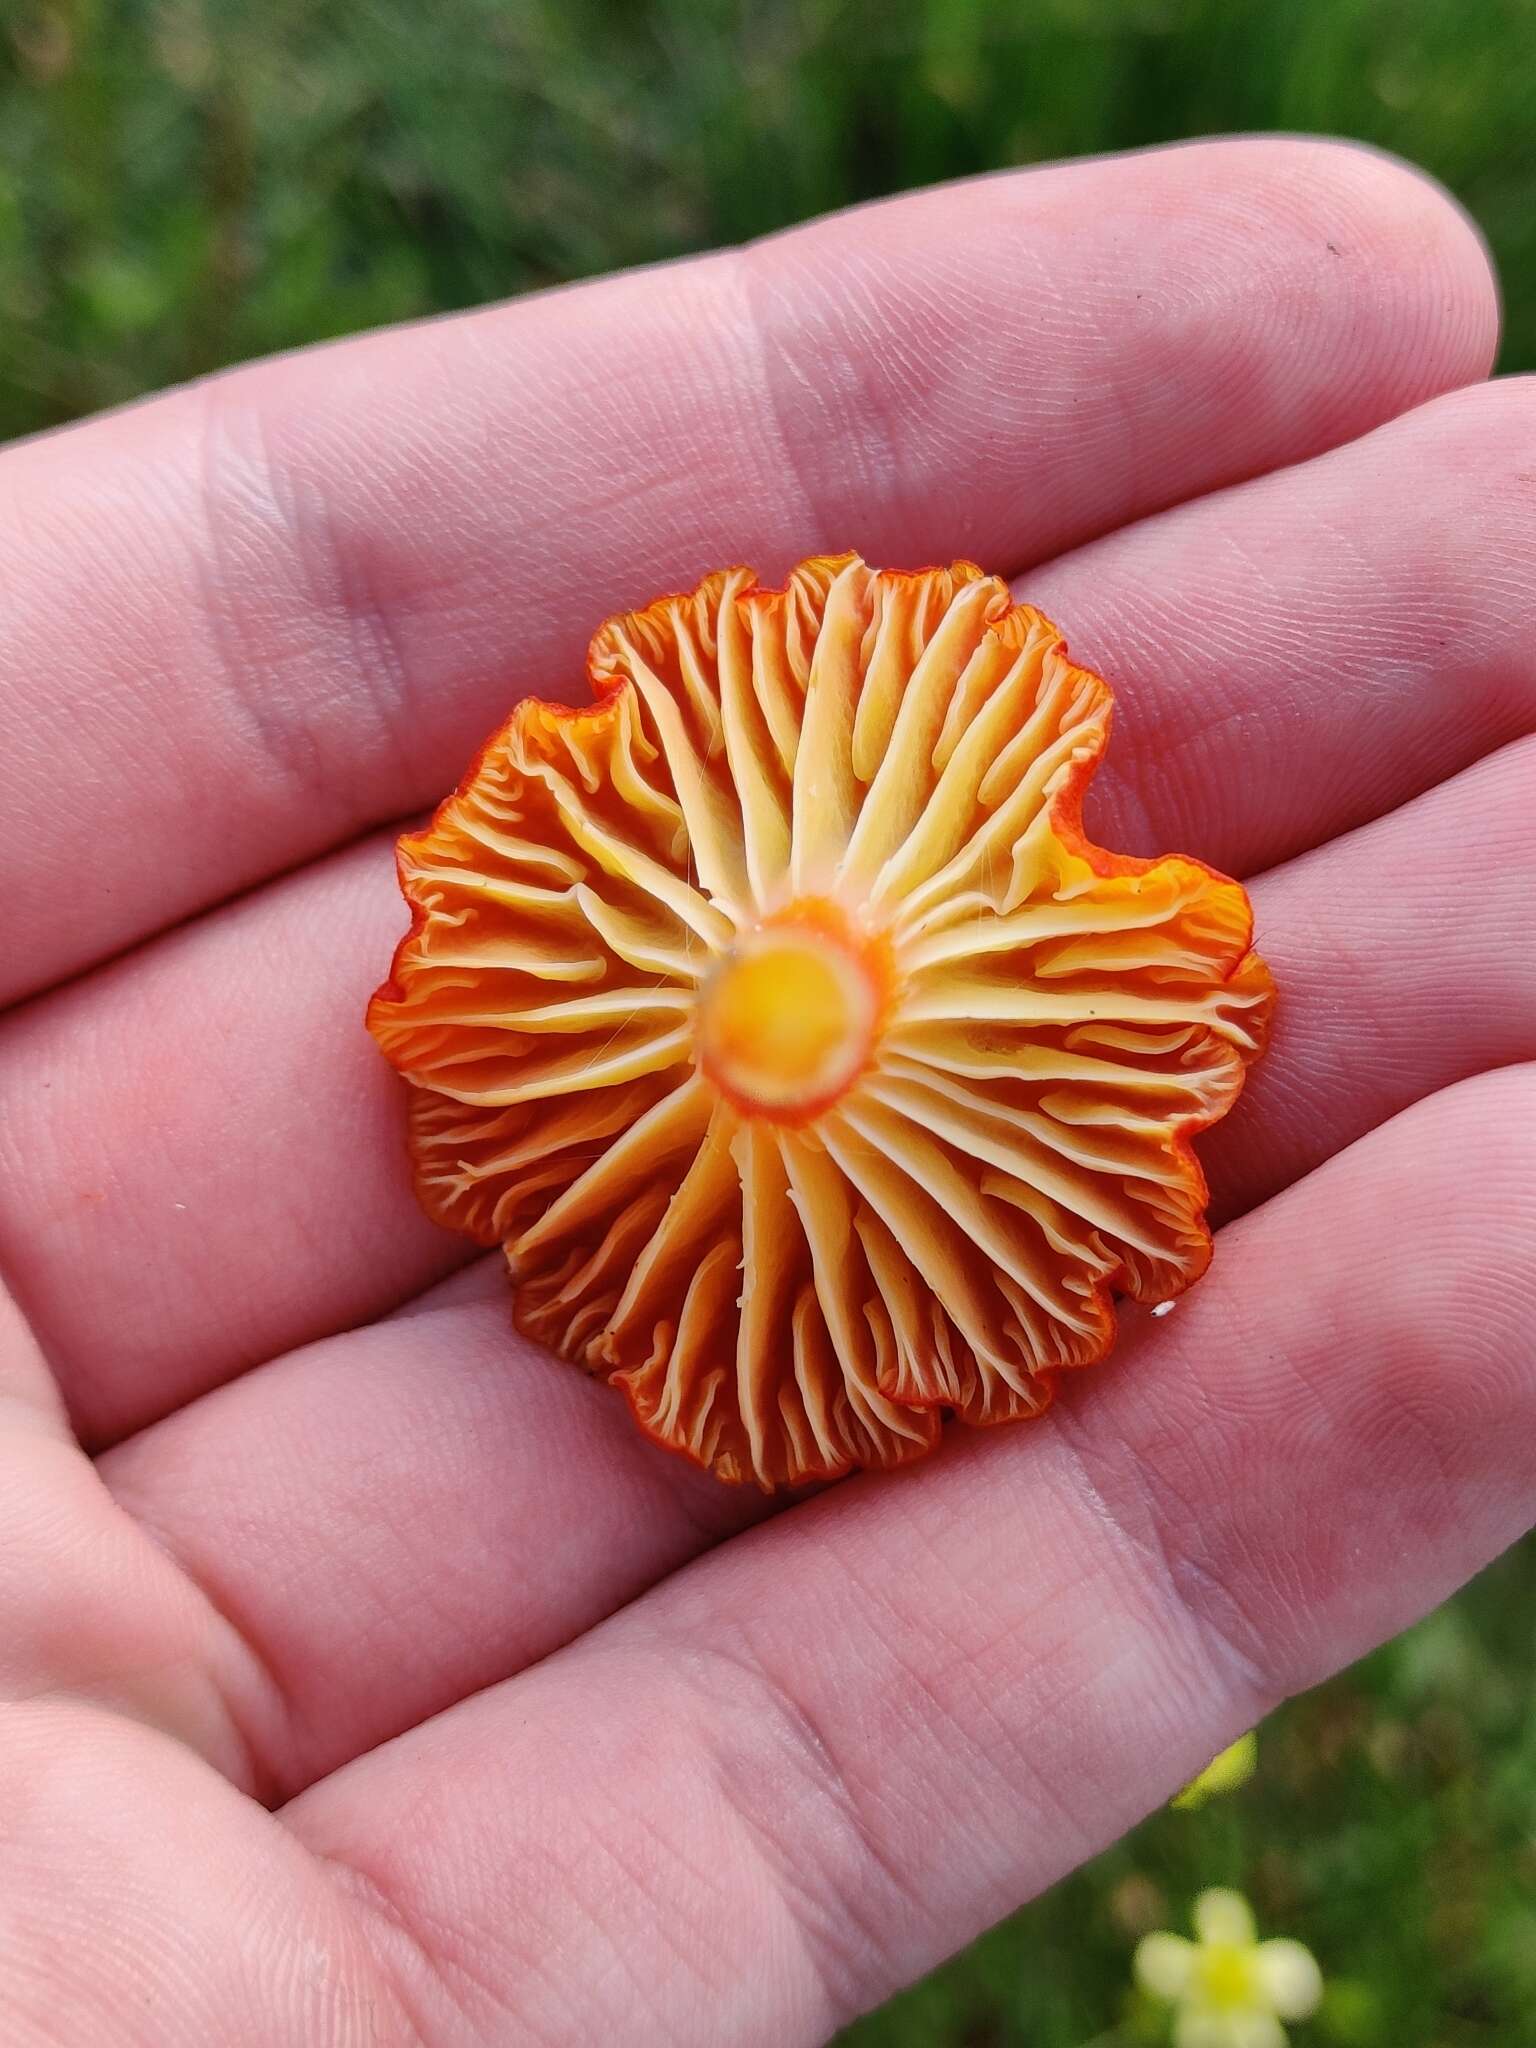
(185,183)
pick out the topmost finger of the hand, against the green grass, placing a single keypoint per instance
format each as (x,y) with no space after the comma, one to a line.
(296,599)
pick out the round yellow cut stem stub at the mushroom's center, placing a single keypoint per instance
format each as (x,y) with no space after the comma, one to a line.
(787,1019)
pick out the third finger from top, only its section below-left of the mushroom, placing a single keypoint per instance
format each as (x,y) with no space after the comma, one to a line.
(404,1517)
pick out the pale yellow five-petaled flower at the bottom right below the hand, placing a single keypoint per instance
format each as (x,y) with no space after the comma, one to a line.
(1228,1988)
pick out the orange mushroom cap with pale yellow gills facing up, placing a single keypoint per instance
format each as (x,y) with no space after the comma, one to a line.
(779,1021)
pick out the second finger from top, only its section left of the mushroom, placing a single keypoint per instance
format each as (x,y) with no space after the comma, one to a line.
(202,1154)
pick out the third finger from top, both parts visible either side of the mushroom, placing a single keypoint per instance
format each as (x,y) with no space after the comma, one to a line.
(304,1488)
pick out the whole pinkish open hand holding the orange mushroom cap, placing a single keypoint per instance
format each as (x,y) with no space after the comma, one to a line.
(392,1691)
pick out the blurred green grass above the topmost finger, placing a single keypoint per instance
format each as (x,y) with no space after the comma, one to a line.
(194,181)
